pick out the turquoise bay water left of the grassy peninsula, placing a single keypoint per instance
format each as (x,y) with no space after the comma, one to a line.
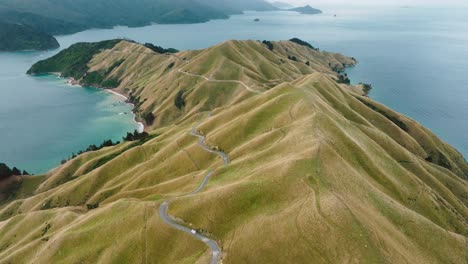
(43,119)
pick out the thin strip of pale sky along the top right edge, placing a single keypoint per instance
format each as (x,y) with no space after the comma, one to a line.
(387,2)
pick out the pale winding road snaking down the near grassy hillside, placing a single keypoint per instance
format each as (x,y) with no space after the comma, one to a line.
(169,220)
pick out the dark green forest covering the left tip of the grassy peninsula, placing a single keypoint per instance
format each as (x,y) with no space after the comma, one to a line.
(73,62)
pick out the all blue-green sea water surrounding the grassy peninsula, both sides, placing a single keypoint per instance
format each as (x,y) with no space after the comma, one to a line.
(415,57)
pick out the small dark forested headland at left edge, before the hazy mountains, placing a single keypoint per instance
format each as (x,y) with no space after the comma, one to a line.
(21,37)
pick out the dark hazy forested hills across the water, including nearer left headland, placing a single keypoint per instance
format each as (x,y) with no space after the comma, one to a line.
(30,23)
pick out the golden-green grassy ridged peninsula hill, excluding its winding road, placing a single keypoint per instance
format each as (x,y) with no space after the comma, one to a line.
(319,172)
